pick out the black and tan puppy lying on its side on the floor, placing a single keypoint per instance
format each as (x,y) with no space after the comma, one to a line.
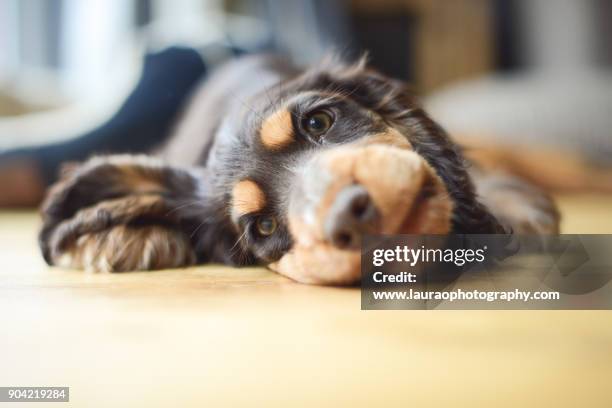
(283,167)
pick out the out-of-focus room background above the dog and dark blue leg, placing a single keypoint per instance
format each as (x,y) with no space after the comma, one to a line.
(517,71)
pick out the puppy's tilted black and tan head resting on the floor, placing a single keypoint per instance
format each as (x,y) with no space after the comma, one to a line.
(298,173)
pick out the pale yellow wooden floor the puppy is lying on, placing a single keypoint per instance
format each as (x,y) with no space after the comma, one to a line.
(215,336)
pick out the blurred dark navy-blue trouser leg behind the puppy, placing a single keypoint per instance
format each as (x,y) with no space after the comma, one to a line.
(143,121)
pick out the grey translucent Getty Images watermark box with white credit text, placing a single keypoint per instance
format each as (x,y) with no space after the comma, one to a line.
(487,272)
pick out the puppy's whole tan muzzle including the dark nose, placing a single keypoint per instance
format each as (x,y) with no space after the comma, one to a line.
(346,192)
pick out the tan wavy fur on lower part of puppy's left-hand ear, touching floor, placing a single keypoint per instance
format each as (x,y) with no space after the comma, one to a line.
(101,239)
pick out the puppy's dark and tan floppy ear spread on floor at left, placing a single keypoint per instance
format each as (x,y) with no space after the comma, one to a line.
(119,213)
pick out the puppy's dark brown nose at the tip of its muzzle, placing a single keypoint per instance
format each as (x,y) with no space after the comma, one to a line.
(352,215)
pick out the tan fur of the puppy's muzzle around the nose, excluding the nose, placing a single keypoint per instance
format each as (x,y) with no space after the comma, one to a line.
(407,192)
